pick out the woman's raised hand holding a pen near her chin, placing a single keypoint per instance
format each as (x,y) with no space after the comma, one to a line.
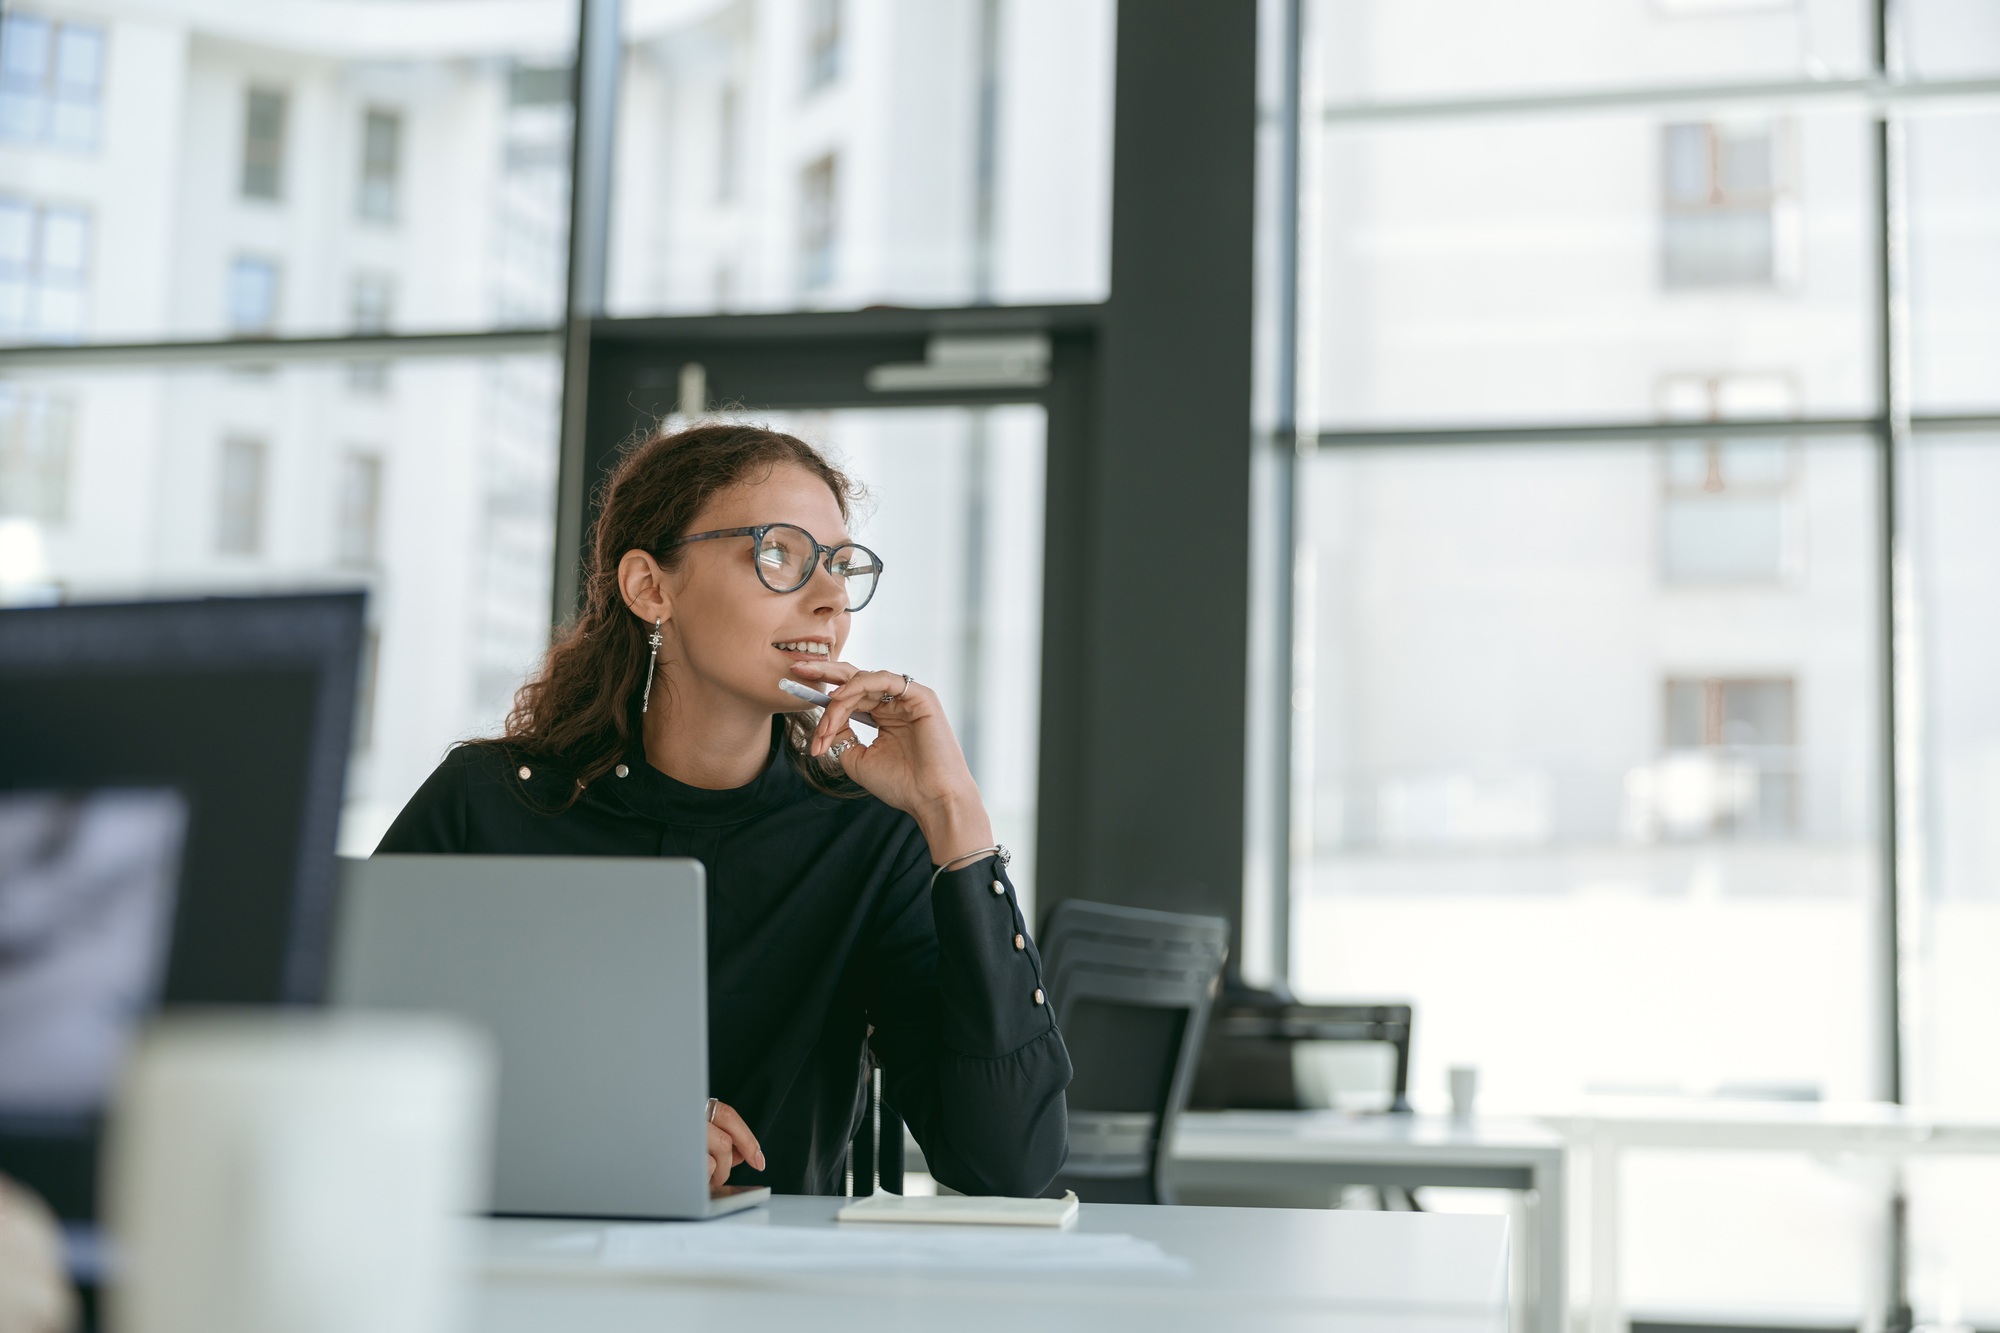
(915,762)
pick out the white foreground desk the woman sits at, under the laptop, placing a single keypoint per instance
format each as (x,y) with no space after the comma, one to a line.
(1249,1268)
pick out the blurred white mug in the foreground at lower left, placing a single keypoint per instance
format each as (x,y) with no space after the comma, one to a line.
(297,1174)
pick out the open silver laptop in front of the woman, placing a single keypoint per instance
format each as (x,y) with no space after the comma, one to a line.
(591,974)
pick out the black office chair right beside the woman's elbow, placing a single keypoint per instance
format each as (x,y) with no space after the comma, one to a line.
(1131,992)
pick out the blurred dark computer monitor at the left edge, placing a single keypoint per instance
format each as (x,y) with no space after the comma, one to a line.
(171,784)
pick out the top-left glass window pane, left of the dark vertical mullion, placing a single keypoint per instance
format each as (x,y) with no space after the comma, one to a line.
(297,135)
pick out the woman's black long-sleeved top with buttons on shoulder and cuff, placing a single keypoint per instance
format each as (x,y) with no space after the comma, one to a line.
(825,940)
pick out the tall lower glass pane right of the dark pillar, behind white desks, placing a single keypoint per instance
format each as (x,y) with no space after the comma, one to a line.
(1611,824)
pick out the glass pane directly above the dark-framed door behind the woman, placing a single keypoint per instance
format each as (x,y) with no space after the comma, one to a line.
(827,155)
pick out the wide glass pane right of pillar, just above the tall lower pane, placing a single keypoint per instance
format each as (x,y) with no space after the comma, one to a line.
(1589,267)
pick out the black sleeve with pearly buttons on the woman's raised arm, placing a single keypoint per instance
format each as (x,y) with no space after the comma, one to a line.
(967,1038)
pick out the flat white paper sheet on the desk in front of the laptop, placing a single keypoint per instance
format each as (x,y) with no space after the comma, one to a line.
(701,1248)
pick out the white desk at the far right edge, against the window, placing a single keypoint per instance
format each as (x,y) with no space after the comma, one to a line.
(1867,1128)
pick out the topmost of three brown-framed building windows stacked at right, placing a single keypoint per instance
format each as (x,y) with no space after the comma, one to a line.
(1729,217)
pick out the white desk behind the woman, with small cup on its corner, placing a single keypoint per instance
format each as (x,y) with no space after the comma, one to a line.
(1295,1152)
